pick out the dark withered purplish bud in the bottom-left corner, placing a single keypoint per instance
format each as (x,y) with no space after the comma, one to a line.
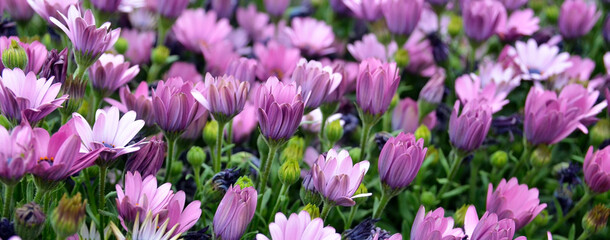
(29,221)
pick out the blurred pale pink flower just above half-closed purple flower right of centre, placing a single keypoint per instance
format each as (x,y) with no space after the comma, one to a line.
(468,88)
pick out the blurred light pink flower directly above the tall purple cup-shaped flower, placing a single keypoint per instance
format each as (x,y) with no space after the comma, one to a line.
(370,47)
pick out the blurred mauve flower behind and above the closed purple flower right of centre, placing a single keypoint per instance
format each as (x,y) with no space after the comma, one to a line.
(406,114)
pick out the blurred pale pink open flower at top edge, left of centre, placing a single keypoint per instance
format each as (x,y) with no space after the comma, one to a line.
(210,29)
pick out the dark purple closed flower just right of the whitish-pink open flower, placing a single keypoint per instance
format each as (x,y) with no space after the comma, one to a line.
(149,159)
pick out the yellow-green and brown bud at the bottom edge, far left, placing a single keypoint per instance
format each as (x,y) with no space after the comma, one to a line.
(68,216)
